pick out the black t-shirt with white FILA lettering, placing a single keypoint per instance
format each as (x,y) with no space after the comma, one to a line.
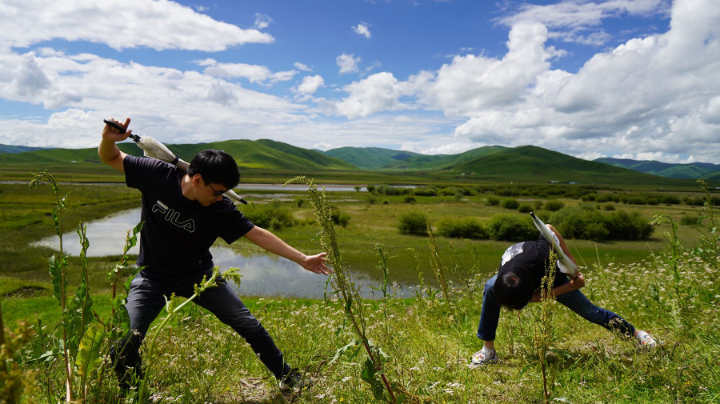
(177,235)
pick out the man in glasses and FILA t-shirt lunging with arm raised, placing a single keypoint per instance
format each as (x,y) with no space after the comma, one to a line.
(184,214)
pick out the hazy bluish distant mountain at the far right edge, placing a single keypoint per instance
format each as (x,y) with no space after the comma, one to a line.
(706,171)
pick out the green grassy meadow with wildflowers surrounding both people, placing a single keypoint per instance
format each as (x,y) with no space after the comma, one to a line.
(667,289)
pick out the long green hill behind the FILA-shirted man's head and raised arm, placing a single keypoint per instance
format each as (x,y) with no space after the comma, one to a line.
(261,154)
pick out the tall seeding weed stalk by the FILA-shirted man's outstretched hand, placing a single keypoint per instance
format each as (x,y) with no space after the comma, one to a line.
(349,293)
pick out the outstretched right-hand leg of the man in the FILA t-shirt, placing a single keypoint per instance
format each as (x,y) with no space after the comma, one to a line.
(224,303)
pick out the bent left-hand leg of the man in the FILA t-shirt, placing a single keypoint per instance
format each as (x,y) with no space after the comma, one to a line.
(144,303)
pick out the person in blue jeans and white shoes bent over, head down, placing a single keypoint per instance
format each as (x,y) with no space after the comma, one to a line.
(517,283)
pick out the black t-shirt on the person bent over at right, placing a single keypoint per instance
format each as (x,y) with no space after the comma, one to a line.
(534,256)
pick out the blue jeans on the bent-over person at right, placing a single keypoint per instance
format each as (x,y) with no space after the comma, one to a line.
(575,301)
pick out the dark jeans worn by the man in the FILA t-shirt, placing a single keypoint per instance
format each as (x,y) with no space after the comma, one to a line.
(146,300)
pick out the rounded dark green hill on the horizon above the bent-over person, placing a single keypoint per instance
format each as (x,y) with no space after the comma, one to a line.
(531,163)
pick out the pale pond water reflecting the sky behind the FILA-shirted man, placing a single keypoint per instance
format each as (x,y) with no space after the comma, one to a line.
(263,275)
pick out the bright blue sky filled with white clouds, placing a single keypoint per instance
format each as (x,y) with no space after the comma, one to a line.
(618,78)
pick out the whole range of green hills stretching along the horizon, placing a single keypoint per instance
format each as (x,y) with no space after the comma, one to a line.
(493,163)
